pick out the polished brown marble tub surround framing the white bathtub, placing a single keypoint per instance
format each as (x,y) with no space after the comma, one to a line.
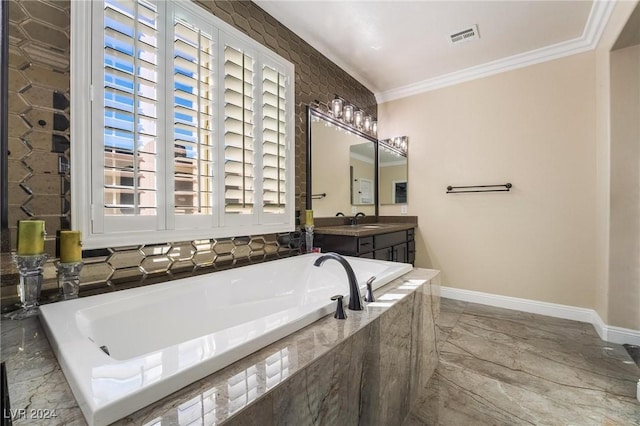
(363,370)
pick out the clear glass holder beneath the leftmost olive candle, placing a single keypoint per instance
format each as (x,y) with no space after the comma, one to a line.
(30,268)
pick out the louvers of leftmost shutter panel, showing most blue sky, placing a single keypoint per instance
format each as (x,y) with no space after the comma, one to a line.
(128,120)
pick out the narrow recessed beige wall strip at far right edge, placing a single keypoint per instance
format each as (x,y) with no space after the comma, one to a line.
(624,261)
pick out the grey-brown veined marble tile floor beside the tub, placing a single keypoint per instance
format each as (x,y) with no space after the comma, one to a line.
(504,367)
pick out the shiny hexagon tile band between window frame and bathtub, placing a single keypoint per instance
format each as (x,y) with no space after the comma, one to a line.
(126,267)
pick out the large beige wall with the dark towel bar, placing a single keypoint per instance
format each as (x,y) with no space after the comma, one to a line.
(533,127)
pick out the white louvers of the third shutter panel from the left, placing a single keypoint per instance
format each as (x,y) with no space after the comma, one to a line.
(239,155)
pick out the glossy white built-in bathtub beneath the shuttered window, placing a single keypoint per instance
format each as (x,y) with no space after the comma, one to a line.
(163,337)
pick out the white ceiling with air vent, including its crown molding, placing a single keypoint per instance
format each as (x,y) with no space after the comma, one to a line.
(398,48)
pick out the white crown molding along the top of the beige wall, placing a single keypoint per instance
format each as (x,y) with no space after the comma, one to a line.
(598,17)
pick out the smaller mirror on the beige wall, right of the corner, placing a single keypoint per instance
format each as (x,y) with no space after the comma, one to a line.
(392,171)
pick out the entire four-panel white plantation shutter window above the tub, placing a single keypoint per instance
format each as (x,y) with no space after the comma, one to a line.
(185,125)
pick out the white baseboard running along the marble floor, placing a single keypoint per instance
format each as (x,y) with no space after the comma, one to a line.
(606,332)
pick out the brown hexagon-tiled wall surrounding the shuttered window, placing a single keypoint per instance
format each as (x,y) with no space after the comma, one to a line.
(39,181)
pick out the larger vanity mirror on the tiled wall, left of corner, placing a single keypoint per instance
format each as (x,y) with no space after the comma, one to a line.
(341,168)
